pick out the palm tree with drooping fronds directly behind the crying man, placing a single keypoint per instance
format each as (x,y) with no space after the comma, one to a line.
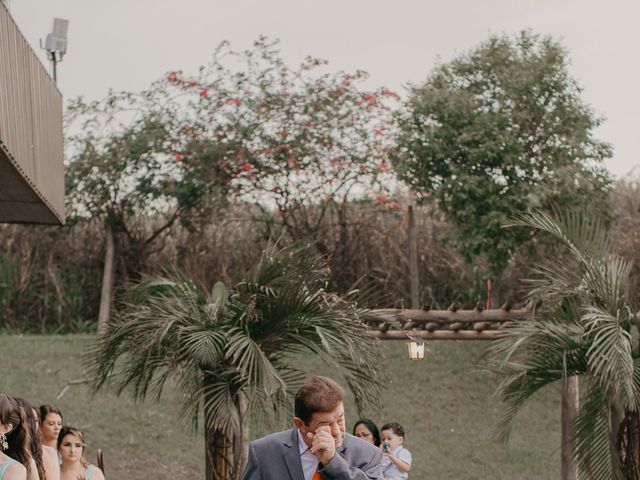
(230,352)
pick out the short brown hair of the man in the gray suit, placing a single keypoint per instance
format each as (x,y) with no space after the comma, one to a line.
(318,394)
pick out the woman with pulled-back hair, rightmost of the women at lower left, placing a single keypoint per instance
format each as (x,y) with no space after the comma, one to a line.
(74,466)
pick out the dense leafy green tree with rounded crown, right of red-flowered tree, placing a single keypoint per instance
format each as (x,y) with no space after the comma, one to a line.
(495,131)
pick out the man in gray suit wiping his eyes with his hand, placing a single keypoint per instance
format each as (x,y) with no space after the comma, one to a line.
(319,447)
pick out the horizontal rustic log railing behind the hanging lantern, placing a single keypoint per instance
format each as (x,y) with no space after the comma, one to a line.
(451,324)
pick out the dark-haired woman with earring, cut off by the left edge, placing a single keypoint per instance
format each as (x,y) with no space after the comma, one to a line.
(12,440)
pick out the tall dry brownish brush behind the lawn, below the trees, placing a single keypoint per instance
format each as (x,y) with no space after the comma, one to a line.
(50,276)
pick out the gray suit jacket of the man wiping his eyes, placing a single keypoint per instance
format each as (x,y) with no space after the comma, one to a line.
(277,457)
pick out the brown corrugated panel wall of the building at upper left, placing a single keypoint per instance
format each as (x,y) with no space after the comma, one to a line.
(30,118)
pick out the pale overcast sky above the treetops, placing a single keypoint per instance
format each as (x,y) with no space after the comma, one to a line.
(125,45)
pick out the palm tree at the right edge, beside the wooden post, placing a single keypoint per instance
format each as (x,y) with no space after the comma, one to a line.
(583,326)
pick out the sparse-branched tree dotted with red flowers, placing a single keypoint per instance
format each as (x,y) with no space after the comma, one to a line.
(304,140)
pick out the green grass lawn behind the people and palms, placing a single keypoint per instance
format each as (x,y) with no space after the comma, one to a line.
(443,402)
